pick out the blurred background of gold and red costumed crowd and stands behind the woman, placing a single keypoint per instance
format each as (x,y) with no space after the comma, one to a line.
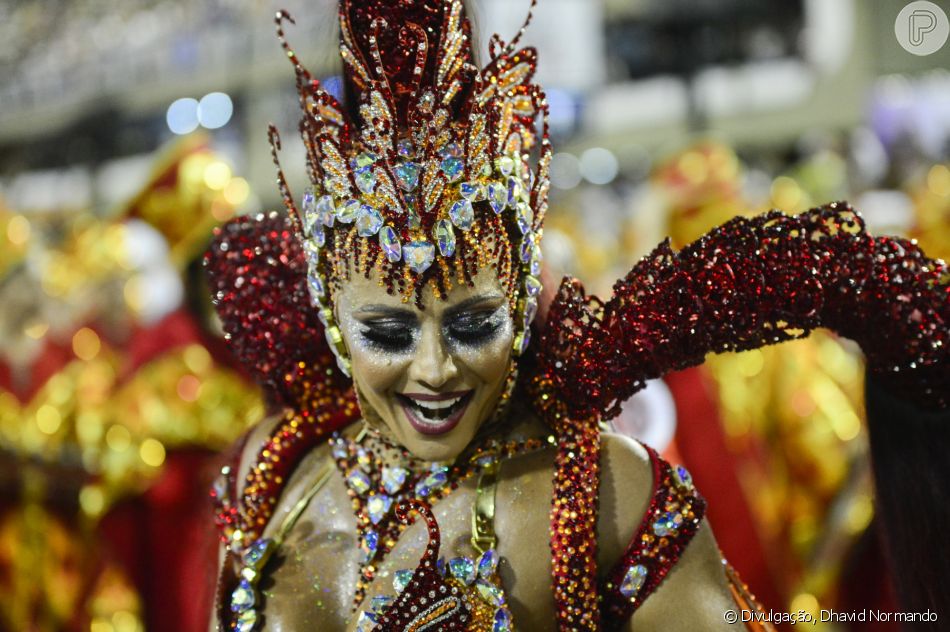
(129,130)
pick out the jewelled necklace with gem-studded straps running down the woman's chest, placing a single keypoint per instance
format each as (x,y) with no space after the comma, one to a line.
(376,489)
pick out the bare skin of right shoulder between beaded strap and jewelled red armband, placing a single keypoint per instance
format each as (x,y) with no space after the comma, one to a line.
(626,484)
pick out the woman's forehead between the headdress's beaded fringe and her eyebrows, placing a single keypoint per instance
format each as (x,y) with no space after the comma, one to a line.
(359,290)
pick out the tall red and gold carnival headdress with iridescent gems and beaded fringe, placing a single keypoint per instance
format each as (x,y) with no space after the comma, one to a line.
(433,177)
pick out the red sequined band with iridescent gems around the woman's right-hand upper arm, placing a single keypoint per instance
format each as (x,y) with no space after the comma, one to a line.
(675,512)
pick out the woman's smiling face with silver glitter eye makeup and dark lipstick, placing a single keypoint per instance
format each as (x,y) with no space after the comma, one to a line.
(432,375)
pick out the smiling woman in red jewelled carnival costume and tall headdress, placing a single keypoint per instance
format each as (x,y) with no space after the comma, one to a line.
(439,470)
